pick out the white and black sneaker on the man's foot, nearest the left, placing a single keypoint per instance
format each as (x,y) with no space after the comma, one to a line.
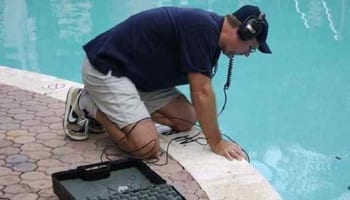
(75,123)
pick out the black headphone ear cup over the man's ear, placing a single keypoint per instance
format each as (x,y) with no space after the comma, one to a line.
(251,27)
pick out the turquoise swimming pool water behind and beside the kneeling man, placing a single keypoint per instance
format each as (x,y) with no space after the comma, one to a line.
(289,110)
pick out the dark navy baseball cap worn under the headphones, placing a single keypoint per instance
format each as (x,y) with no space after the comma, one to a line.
(248,11)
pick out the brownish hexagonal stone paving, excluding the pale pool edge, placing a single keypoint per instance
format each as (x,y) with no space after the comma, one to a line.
(33,146)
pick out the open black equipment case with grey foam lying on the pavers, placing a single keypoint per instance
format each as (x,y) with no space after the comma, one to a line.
(121,179)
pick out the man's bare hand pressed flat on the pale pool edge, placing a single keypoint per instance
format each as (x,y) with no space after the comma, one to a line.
(228,149)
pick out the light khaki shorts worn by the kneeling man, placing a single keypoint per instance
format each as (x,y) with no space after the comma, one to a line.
(118,98)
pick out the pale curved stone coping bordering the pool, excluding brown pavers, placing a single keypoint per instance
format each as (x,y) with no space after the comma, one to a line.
(218,177)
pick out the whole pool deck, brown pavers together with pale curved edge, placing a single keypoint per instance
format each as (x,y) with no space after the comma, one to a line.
(33,146)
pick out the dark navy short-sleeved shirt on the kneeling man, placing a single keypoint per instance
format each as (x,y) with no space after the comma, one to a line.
(156,48)
